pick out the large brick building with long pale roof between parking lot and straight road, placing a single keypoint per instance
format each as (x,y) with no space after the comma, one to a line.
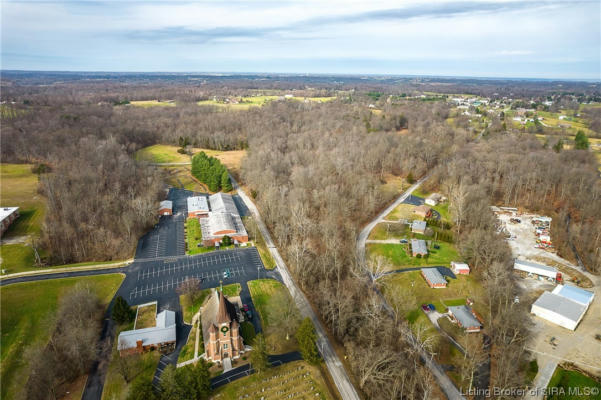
(222,220)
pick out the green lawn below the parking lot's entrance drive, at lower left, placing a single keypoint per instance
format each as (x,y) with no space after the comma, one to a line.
(26,315)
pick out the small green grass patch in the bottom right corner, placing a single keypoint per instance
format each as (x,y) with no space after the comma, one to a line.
(564,380)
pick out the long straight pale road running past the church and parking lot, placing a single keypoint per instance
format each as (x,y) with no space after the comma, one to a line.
(335,367)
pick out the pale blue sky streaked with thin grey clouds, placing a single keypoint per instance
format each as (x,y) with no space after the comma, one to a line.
(482,38)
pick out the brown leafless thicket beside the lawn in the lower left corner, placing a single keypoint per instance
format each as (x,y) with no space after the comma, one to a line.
(71,349)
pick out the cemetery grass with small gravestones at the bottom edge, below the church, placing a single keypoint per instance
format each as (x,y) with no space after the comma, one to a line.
(299,378)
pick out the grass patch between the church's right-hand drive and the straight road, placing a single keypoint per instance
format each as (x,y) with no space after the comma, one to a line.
(262,291)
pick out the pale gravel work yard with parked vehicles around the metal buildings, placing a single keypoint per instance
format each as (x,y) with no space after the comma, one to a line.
(551,344)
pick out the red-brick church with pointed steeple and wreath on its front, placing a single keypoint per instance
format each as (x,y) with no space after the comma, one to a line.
(222,337)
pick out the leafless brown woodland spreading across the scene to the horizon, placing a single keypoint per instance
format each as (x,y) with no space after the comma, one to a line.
(316,171)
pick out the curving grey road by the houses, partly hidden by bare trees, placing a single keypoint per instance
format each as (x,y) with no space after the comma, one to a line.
(443,380)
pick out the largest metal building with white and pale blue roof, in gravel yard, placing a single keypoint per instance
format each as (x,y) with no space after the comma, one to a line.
(564,306)
